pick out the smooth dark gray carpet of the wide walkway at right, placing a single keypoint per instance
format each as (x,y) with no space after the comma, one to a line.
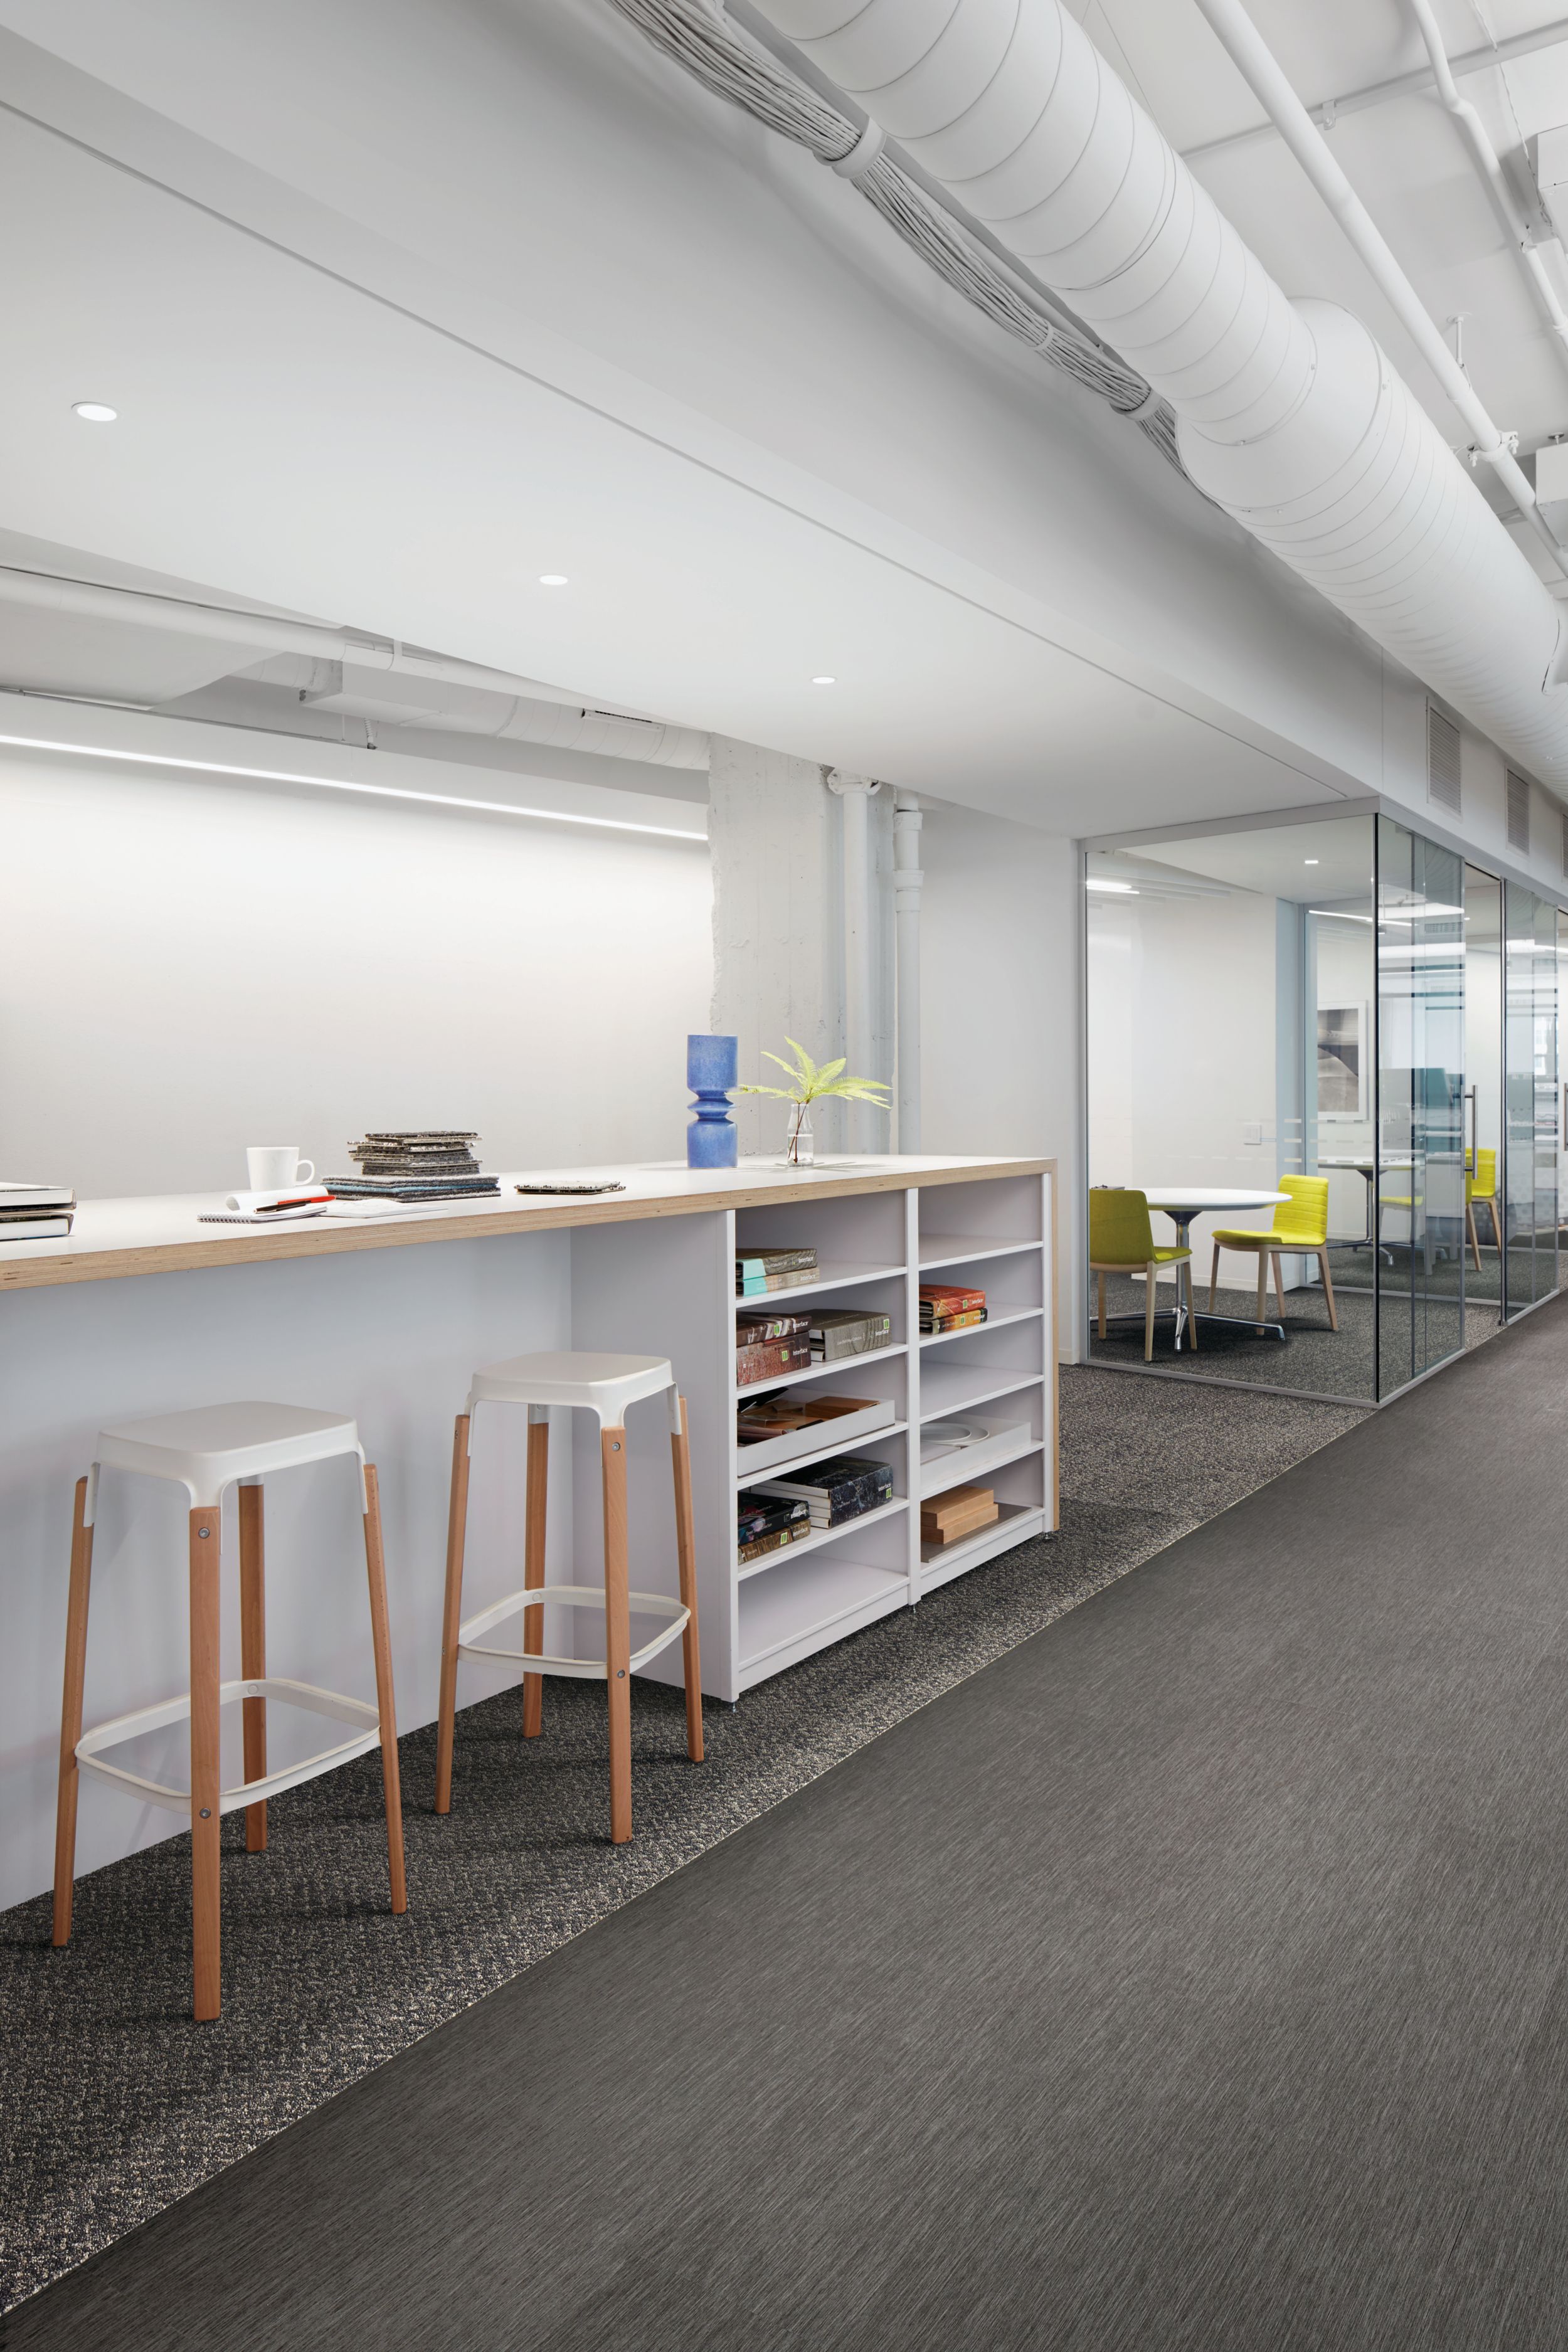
(1191,1979)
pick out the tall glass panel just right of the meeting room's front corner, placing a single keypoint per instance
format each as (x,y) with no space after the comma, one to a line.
(1421,1104)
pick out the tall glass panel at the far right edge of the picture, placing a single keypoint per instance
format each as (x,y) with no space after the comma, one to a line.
(1529,1093)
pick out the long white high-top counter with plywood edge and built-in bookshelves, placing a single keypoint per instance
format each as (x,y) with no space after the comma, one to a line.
(145,1311)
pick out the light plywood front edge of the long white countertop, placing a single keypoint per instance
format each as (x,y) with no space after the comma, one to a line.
(319,1241)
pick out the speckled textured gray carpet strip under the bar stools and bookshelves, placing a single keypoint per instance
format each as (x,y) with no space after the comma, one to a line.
(114,2106)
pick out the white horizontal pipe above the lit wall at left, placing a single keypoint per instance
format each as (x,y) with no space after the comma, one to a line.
(267,634)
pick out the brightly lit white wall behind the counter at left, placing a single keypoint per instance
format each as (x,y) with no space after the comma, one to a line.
(189,965)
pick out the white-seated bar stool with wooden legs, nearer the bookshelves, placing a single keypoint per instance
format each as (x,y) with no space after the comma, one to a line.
(605,1387)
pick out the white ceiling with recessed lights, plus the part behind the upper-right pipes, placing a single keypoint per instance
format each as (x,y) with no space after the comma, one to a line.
(335,403)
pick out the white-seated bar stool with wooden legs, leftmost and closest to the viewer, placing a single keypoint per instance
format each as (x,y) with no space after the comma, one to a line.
(206,1452)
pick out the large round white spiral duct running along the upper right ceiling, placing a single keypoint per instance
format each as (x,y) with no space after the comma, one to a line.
(1289,415)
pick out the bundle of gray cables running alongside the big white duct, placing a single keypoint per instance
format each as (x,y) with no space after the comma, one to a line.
(702,39)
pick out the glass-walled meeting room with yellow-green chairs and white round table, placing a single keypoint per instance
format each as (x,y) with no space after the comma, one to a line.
(1343,1031)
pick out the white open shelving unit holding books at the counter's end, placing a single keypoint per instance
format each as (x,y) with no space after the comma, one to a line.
(873,1250)
